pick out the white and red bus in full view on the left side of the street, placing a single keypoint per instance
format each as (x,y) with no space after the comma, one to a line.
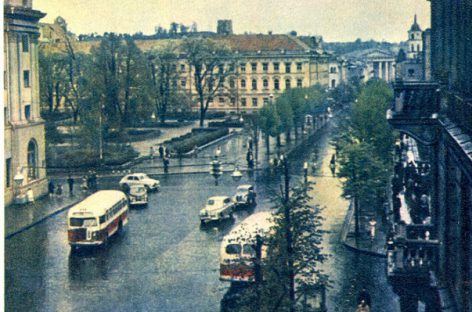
(92,221)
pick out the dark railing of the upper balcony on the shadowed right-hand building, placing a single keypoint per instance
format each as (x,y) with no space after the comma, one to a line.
(415,100)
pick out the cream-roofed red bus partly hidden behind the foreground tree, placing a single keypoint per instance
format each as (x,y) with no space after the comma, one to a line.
(237,249)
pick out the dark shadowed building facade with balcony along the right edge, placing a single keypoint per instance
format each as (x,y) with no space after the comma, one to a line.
(438,115)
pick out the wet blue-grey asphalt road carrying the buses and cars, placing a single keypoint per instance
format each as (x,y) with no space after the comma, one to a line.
(165,261)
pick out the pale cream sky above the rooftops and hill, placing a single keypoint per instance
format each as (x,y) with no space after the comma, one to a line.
(335,20)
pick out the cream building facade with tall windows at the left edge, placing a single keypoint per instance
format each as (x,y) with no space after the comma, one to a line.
(24,128)
